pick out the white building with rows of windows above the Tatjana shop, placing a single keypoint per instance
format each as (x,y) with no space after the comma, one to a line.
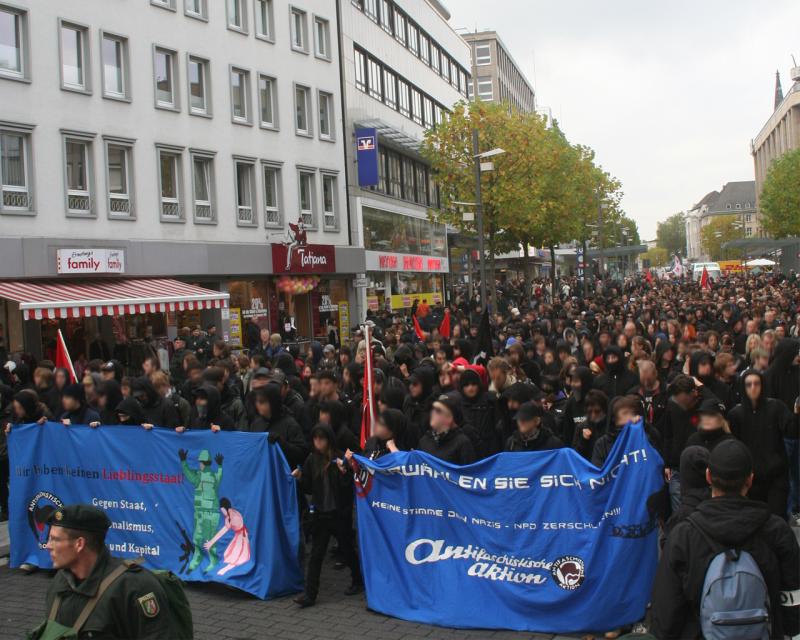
(185,135)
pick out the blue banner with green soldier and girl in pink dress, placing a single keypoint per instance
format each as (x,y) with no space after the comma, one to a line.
(208,506)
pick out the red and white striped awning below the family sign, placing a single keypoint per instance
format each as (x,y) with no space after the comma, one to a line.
(85,298)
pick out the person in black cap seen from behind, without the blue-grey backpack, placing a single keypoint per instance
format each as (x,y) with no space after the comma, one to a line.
(728,520)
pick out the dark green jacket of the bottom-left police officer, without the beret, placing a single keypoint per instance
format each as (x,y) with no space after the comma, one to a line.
(119,613)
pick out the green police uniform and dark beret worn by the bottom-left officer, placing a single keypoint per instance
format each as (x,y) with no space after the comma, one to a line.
(134,605)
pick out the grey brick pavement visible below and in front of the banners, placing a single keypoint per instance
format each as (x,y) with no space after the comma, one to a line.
(221,613)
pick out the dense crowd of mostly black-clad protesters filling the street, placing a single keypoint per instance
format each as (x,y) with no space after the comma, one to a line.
(702,367)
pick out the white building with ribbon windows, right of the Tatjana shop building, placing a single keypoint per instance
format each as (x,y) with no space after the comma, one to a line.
(403,68)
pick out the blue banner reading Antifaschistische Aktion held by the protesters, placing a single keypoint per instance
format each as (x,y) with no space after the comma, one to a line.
(527,541)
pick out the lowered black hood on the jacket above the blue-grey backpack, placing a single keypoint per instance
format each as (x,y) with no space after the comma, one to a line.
(732,520)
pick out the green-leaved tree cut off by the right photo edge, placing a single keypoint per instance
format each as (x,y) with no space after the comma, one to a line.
(780,197)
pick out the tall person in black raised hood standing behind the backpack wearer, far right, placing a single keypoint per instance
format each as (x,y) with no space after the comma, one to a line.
(760,423)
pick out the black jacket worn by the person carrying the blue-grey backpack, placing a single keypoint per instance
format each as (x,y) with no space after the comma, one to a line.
(732,521)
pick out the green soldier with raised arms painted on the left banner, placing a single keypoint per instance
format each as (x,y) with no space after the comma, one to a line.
(206,513)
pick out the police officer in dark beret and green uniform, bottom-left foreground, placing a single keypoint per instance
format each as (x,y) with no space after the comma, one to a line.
(94,593)
